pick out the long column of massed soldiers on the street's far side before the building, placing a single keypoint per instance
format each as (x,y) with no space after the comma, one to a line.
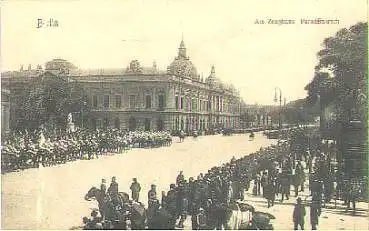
(32,149)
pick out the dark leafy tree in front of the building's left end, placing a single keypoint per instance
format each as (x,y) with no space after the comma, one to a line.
(49,101)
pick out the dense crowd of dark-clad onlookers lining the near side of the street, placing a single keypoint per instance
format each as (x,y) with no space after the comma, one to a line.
(273,170)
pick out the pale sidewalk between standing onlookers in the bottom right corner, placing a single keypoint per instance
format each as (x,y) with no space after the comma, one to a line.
(331,218)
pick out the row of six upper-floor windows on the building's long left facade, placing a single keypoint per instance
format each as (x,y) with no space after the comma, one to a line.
(132,100)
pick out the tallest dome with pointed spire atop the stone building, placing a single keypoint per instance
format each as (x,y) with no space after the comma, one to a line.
(182,66)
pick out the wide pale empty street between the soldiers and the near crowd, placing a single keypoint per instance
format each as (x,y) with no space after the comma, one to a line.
(53,197)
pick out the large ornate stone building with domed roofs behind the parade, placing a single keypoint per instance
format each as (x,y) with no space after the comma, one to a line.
(146,98)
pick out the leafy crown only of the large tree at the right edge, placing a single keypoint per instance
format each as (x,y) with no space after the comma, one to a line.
(346,56)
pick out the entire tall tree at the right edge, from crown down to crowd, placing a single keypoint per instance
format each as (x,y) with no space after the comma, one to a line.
(344,87)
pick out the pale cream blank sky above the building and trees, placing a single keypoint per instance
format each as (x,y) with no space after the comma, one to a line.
(255,58)
